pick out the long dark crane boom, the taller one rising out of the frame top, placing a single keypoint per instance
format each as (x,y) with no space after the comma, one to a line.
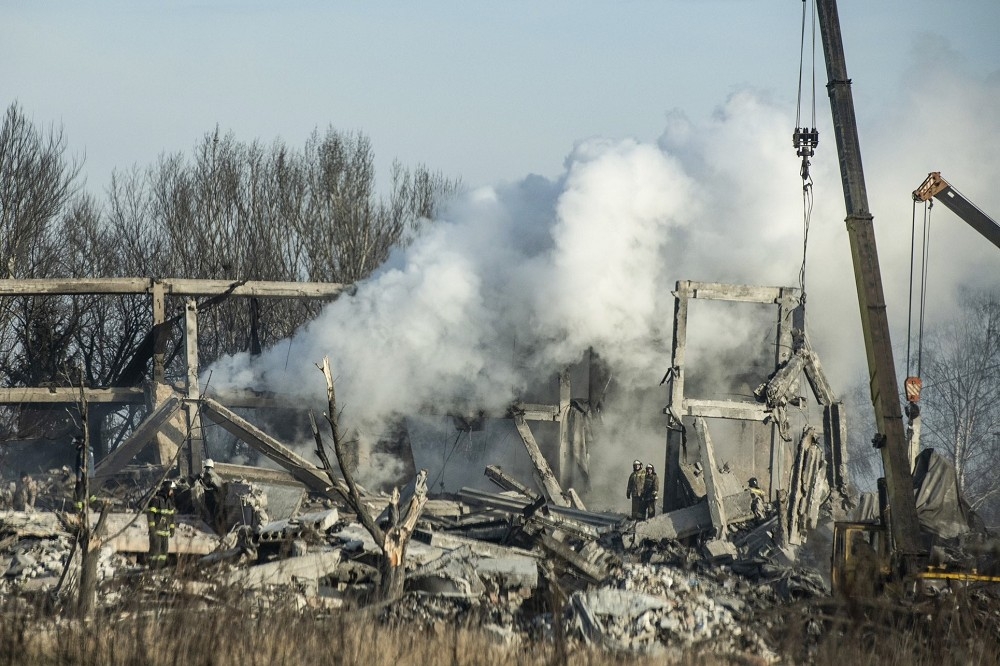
(891,438)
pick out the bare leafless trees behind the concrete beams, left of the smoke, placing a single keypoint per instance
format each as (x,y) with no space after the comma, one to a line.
(230,210)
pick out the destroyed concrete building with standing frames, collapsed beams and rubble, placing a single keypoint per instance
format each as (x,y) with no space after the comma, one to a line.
(288,525)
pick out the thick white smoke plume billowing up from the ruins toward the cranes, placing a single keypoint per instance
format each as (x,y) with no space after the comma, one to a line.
(518,280)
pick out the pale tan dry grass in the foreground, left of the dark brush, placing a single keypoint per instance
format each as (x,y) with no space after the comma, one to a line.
(236,632)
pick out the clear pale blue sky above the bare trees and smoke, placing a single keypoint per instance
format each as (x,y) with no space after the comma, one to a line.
(485,91)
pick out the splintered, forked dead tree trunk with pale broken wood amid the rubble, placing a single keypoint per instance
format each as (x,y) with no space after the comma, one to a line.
(400,524)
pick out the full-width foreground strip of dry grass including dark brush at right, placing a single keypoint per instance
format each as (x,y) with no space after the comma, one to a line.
(162,627)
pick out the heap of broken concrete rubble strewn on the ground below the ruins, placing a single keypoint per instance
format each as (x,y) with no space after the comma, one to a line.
(490,561)
